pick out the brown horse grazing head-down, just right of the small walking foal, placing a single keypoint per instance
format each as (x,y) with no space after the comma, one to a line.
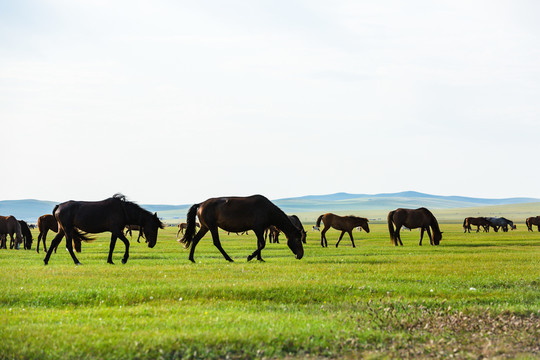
(412,219)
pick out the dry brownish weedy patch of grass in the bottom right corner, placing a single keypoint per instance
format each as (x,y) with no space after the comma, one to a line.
(446,333)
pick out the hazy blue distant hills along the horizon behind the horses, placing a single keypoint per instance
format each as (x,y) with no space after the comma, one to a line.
(30,210)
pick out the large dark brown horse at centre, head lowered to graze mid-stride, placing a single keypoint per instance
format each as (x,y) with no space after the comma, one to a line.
(237,214)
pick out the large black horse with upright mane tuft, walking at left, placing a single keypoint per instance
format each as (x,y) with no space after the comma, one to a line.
(112,214)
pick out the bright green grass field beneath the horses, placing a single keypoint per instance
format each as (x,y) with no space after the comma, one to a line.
(475,295)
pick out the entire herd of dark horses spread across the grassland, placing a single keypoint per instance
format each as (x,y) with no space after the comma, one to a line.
(74,220)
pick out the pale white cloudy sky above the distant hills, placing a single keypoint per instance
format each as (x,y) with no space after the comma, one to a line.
(174,102)
